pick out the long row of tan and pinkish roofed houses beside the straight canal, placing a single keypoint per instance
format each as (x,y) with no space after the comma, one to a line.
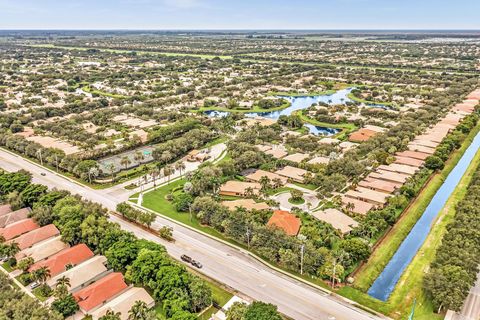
(378,186)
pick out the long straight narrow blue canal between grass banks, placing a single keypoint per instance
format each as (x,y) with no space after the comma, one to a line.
(385,283)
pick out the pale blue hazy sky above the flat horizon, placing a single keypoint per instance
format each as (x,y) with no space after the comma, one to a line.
(239,14)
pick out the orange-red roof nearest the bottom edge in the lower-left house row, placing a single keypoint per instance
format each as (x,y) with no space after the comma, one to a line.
(100,291)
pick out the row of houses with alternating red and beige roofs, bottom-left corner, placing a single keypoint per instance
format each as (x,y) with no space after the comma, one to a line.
(96,288)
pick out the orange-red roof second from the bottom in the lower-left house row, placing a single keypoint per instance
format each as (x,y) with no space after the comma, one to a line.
(56,263)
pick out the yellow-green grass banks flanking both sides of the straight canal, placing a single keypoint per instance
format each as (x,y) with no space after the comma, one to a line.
(409,286)
